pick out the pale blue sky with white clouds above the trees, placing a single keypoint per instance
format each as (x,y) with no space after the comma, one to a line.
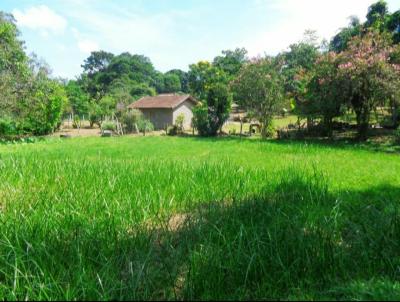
(172,33)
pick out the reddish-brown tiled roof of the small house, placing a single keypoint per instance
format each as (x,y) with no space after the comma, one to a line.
(167,101)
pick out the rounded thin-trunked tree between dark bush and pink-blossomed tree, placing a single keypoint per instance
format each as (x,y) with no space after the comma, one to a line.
(259,88)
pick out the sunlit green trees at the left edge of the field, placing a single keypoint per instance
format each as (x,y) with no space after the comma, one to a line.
(30,101)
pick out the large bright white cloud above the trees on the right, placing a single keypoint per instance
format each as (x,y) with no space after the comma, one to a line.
(326,17)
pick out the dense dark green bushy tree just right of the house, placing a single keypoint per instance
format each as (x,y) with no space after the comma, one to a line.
(210,116)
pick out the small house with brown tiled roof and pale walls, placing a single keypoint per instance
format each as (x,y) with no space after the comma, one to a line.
(162,110)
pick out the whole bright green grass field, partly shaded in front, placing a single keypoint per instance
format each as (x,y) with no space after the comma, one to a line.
(190,218)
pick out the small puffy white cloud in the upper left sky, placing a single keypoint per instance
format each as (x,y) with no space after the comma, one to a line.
(41,18)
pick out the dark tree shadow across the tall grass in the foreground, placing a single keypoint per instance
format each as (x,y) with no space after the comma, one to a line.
(293,241)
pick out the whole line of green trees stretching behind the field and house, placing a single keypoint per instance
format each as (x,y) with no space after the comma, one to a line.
(358,71)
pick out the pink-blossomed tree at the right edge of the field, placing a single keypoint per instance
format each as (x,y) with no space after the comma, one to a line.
(371,78)
